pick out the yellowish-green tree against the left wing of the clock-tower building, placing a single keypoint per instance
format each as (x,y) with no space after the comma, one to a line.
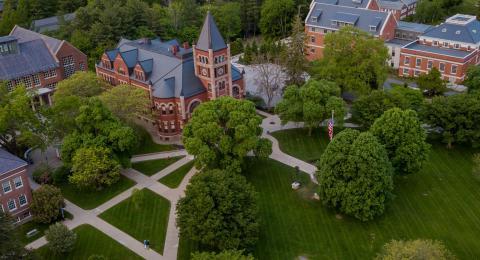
(126,102)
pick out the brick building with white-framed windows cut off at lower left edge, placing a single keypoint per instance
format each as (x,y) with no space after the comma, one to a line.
(15,194)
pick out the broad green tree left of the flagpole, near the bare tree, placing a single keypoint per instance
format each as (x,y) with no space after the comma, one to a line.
(311,103)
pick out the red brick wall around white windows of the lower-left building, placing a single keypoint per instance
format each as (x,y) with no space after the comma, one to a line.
(15,193)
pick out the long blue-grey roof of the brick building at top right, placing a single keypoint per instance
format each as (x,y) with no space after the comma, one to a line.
(361,18)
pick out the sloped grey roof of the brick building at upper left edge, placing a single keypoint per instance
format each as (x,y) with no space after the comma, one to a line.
(32,57)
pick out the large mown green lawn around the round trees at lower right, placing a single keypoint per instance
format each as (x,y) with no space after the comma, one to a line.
(440,202)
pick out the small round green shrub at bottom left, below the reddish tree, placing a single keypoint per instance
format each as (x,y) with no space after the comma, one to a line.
(60,239)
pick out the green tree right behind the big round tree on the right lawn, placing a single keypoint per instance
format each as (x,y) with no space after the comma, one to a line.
(402,134)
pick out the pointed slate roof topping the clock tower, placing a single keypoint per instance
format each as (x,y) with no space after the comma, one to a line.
(210,37)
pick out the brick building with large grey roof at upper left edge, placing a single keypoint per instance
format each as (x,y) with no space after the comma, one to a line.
(37,61)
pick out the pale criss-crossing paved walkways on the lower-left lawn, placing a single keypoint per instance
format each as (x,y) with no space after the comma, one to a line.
(90,217)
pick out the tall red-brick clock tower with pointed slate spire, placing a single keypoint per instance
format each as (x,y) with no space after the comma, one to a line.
(212,60)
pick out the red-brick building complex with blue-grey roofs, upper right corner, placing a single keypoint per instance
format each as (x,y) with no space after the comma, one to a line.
(414,48)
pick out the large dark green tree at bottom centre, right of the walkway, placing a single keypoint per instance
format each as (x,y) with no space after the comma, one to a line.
(219,210)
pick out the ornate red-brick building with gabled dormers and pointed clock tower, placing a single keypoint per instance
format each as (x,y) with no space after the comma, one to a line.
(177,77)
